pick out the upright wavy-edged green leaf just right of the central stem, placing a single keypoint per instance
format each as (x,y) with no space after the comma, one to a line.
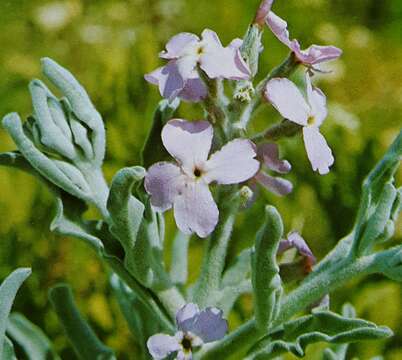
(266,281)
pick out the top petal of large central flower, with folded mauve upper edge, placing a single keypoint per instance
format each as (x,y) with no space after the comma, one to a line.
(188,142)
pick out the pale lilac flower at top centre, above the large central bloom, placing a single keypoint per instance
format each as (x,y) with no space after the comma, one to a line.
(186,51)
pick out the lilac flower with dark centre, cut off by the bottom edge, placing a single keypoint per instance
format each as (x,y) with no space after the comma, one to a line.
(195,328)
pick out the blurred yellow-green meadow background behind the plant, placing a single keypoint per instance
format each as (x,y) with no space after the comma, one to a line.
(109,45)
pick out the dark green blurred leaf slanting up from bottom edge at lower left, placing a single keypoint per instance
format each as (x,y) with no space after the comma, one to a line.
(83,339)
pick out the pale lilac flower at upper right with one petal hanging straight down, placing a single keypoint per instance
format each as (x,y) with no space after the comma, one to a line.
(291,104)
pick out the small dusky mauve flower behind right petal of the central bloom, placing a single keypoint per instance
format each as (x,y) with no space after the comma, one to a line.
(268,154)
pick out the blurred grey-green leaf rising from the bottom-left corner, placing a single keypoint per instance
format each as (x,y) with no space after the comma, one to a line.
(31,338)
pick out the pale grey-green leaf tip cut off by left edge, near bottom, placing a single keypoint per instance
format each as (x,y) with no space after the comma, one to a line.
(8,291)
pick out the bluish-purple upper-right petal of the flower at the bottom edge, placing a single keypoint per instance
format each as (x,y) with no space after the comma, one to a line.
(210,325)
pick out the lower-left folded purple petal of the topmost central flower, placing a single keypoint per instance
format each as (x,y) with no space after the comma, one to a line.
(169,80)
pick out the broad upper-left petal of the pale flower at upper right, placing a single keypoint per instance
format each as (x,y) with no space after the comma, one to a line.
(288,100)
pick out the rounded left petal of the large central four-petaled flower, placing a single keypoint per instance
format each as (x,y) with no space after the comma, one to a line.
(163,182)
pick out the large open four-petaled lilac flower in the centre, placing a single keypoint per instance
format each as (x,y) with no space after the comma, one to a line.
(185,185)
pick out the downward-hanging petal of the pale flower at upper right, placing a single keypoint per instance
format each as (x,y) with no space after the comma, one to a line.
(318,151)
